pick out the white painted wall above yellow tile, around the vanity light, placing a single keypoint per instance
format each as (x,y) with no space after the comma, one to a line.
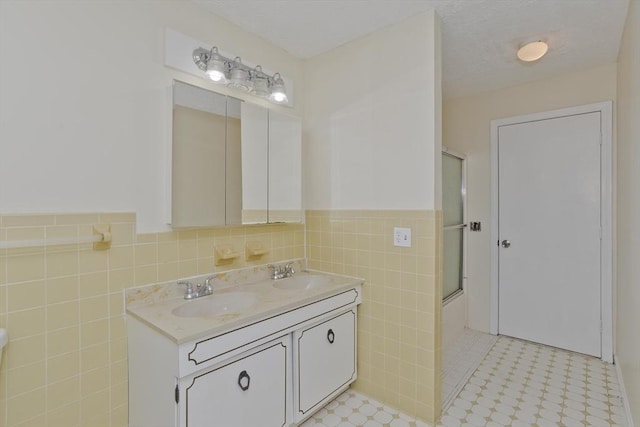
(85,101)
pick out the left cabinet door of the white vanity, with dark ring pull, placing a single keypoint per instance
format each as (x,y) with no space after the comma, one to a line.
(248,392)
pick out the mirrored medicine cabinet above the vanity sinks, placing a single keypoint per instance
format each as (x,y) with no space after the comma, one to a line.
(233,162)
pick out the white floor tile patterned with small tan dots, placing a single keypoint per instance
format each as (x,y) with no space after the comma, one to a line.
(517,384)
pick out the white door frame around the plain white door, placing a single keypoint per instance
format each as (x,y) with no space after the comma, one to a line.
(606,211)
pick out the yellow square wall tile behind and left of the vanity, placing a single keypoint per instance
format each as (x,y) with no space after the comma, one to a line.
(66,361)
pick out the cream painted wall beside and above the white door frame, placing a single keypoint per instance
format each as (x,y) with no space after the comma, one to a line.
(466,129)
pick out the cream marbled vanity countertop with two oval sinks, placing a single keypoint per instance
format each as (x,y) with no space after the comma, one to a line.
(239,298)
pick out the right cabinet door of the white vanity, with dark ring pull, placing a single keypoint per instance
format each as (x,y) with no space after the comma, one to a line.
(325,361)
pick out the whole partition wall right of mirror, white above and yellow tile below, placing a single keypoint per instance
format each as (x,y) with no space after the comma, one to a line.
(372,157)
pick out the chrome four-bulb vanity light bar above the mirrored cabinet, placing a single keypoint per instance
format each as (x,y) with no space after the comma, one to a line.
(236,75)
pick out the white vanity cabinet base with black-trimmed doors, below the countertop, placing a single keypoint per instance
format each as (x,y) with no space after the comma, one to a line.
(244,375)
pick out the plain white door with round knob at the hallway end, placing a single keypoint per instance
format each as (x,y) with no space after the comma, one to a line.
(549,207)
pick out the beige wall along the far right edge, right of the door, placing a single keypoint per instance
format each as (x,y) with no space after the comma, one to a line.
(628,207)
